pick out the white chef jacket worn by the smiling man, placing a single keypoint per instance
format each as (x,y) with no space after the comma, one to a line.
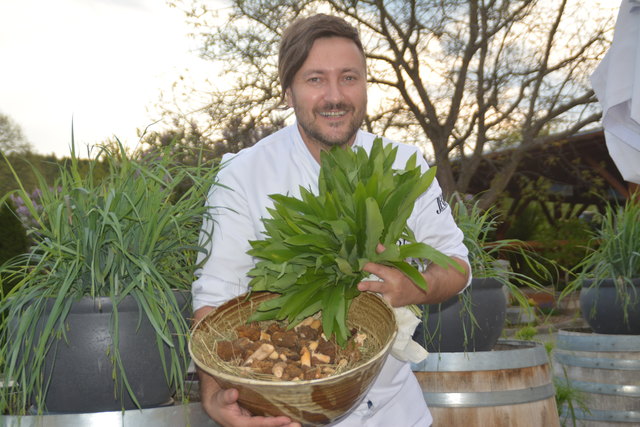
(280,164)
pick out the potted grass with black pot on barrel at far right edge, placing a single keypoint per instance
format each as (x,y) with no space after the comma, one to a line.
(608,277)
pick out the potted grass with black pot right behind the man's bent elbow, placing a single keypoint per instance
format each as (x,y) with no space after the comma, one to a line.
(474,319)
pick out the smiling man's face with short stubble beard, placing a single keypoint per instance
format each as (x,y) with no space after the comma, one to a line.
(329,93)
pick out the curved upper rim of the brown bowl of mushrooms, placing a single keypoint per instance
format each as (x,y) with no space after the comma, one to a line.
(386,348)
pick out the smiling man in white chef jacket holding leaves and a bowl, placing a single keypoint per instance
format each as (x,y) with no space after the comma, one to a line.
(323,76)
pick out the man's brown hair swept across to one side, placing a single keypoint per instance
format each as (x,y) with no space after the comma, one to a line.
(299,37)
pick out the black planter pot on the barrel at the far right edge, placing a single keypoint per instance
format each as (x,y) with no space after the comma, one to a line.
(603,309)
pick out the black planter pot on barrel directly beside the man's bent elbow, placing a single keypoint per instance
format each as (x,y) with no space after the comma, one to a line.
(447,327)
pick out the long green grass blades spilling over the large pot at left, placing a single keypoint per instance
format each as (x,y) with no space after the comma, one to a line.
(127,233)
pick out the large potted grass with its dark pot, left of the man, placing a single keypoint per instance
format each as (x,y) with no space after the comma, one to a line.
(97,319)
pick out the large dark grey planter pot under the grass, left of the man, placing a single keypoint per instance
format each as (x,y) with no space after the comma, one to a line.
(81,368)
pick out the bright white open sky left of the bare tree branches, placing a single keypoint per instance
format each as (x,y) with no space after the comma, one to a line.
(101,64)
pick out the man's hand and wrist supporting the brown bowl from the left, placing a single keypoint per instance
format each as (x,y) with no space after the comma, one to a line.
(222,404)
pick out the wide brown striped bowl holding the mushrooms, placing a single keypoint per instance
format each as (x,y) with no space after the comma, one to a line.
(312,402)
